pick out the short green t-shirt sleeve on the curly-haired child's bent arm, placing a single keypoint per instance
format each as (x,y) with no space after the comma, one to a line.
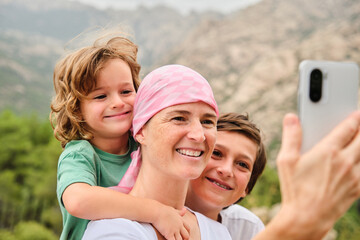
(75,167)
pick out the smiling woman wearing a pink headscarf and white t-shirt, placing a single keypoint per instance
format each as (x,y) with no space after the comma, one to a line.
(174,122)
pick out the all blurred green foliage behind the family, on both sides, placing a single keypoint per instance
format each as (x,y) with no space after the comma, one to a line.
(28,162)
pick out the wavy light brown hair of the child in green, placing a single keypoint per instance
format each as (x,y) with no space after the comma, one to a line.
(75,77)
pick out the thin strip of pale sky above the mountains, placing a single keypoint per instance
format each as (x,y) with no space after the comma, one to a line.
(184,6)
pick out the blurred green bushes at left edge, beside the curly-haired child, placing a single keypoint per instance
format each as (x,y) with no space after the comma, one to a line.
(28,163)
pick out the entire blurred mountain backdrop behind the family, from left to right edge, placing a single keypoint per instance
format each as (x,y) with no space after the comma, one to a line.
(250,57)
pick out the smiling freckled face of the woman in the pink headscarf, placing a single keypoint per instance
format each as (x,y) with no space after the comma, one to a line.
(192,128)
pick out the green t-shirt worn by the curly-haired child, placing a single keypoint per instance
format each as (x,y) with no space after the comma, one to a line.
(82,162)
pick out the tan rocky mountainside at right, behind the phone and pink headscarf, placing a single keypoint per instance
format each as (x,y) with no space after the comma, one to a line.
(251,58)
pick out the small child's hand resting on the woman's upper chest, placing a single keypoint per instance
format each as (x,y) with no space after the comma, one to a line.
(170,223)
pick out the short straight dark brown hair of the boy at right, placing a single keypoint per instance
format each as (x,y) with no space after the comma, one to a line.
(240,123)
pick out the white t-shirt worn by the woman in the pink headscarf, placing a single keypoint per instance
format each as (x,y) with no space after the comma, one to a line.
(120,228)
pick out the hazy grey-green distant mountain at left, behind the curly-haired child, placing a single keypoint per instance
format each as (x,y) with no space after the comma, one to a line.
(33,35)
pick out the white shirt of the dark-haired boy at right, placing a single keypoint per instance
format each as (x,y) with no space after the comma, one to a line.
(240,222)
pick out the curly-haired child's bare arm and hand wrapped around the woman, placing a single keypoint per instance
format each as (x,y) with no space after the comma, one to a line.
(93,202)
